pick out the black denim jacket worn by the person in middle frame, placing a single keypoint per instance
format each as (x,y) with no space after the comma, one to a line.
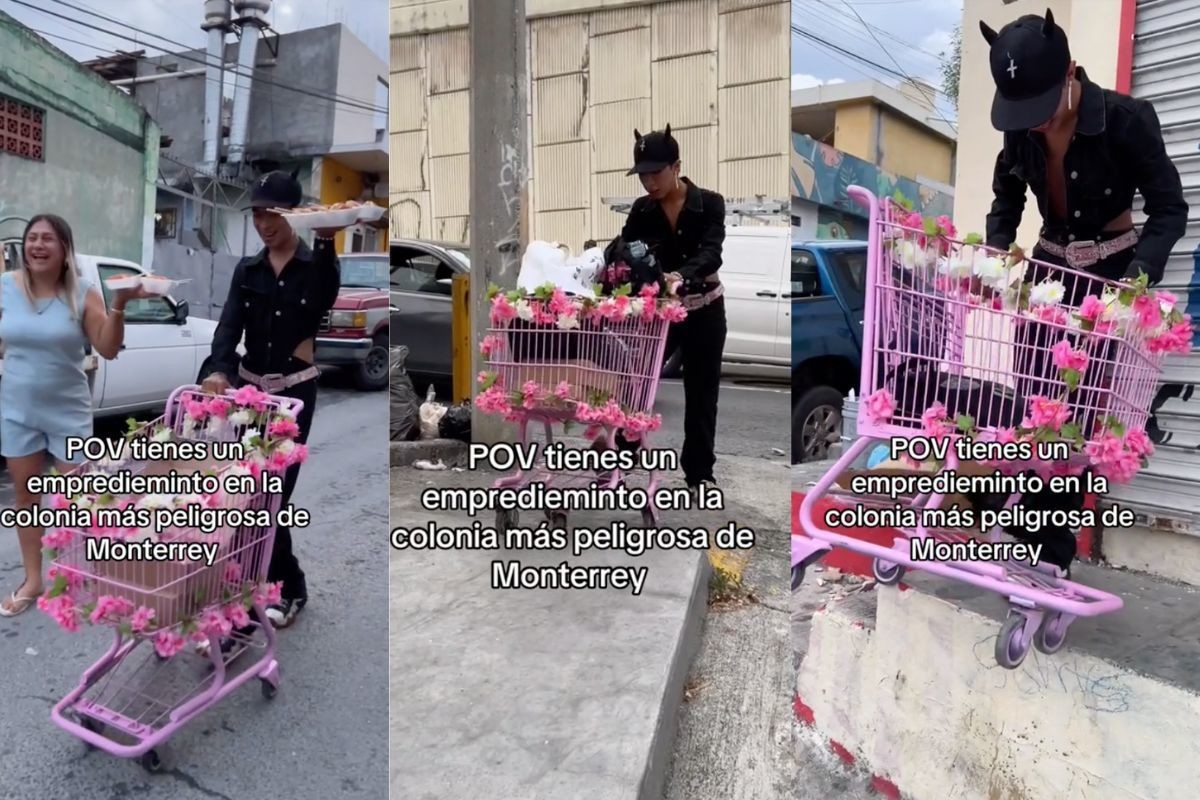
(694,248)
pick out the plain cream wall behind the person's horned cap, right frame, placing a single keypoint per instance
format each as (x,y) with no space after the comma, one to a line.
(1093,27)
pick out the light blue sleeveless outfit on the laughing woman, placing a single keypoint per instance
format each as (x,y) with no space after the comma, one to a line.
(45,398)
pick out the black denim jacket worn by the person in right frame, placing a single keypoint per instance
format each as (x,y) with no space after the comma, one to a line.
(1118,149)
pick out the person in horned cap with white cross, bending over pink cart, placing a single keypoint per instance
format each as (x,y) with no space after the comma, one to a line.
(1084,152)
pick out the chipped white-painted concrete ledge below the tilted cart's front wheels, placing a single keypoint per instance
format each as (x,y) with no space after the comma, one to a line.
(903,684)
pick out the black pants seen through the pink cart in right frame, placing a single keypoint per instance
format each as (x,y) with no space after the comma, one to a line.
(1059,542)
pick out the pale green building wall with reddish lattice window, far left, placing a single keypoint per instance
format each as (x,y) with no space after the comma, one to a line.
(101,152)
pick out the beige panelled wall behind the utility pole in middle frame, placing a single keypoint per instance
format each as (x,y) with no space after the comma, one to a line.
(717,70)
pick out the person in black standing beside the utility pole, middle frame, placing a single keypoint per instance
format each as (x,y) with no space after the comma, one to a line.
(685,226)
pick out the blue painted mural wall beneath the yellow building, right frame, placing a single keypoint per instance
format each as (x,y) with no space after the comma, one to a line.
(823,175)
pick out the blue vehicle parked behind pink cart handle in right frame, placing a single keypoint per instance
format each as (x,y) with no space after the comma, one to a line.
(829,291)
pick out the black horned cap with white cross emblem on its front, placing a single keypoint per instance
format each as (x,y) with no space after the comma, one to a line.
(1030,59)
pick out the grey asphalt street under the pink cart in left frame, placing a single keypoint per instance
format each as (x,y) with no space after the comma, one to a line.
(326,732)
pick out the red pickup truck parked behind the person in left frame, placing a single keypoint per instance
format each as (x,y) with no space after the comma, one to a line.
(355,334)
